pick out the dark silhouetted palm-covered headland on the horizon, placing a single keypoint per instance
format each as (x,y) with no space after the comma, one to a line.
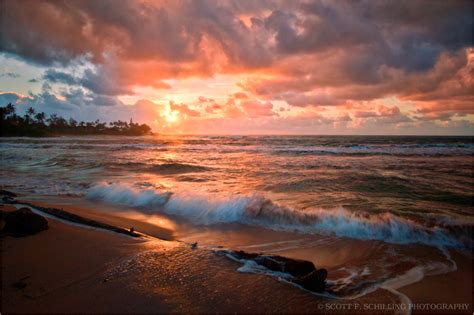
(38,124)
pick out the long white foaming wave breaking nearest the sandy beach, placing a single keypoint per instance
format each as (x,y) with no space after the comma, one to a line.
(257,210)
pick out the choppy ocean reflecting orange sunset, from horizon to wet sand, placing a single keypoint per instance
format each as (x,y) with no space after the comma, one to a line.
(376,211)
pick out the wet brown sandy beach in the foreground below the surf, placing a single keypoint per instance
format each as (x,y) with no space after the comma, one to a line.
(70,268)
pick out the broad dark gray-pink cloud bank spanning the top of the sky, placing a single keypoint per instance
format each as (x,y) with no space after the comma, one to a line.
(402,34)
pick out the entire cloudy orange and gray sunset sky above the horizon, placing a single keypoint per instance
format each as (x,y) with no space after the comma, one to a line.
(244,67)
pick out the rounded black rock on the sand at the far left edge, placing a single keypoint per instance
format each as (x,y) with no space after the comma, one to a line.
(23,222)
